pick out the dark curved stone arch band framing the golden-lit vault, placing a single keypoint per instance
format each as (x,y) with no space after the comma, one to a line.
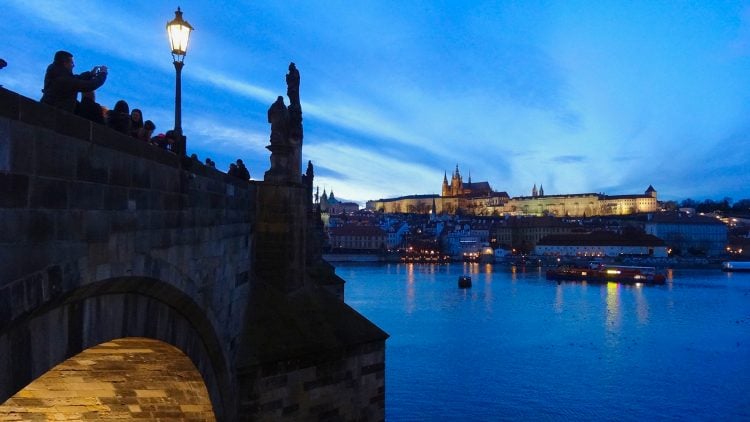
(114,308)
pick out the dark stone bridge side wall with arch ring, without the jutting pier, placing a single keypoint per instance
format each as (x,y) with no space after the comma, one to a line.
(103,236)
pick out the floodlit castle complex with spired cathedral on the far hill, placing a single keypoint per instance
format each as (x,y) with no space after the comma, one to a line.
(478,198)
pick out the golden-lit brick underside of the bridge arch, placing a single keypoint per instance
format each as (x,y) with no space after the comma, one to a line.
(129,378)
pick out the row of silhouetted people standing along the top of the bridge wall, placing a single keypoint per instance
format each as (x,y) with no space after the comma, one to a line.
(61,89)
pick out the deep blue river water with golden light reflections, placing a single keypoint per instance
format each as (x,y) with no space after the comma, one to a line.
(518,347)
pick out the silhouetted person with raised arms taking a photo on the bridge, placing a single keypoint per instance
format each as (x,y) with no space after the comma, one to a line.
(61,86)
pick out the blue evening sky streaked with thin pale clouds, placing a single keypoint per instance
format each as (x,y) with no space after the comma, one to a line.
(577,96)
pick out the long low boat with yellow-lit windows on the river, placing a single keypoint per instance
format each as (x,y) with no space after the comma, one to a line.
(607,273)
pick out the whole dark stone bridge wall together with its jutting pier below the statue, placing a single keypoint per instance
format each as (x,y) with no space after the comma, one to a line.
(103,237)
